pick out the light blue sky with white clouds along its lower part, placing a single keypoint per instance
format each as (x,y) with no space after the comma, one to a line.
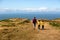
(30,5)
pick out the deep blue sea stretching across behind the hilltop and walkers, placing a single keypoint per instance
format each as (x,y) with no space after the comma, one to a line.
(30,16)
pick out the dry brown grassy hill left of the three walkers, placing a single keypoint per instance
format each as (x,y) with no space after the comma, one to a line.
(15,29)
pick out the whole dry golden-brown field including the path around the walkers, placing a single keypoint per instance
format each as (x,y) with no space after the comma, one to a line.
(22,29)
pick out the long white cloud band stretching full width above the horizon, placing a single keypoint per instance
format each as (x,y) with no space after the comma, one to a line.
(41,9)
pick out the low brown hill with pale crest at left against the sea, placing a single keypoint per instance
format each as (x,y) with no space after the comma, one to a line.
(13,22)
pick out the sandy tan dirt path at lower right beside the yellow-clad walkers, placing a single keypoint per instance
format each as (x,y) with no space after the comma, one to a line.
(48,34)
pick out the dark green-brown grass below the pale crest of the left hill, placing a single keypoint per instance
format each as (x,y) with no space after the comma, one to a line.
(10,23)
